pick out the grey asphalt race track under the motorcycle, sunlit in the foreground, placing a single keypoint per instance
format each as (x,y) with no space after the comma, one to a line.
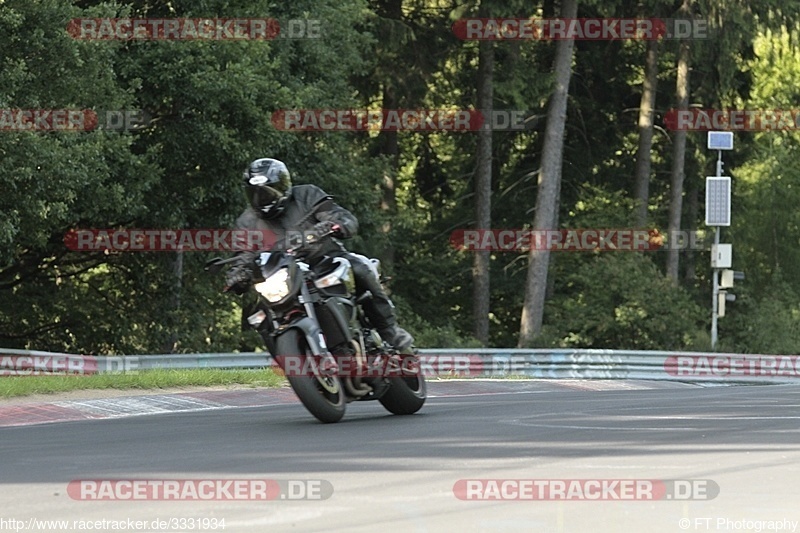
(735,452)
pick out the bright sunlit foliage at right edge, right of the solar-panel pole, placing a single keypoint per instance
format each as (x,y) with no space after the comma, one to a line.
(764,318)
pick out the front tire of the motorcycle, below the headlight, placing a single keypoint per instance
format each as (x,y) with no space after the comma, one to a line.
(323,396)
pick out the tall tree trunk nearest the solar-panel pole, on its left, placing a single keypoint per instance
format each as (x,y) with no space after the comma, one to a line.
(678,160)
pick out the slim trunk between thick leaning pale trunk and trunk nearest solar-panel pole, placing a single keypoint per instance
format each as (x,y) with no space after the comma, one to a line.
(646,113)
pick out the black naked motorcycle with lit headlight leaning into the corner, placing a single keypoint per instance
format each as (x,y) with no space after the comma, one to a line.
(317,333)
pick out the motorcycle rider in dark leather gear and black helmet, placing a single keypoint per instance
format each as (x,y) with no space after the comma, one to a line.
(277,206)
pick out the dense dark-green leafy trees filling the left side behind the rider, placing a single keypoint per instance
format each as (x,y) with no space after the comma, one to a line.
(211,104)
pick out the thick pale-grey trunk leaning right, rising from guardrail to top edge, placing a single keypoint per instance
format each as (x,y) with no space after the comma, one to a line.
(548,187)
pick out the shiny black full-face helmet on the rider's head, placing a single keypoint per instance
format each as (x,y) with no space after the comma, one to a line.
(267,184)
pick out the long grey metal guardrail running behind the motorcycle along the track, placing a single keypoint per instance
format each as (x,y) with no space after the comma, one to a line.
(482,363)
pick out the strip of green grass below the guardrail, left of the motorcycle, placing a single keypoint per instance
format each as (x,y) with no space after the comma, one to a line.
(13,386)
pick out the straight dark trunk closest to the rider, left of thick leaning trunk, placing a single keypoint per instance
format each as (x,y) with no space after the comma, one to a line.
(483,195)
